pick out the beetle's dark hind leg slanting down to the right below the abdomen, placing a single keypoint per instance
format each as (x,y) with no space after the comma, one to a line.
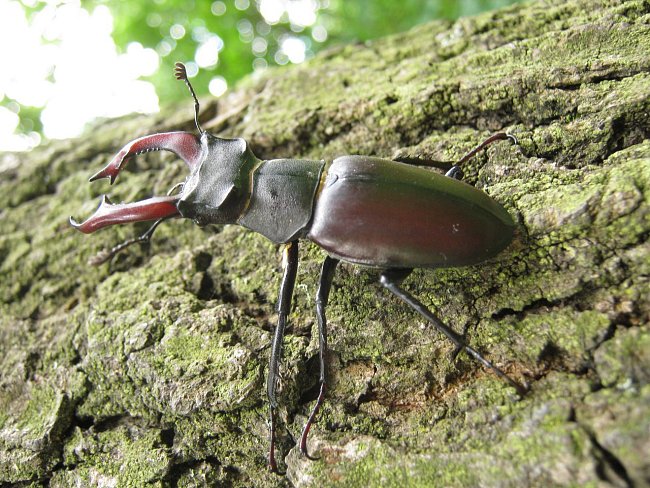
(391,280)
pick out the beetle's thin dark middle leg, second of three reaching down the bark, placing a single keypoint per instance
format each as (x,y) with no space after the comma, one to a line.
(322,295)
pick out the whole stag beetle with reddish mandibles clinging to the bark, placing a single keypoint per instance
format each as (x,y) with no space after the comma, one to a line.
(359,209)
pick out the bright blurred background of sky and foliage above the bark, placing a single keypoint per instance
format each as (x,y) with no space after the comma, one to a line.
(65,63)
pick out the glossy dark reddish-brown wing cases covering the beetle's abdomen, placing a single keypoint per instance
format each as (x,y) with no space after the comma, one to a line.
(382,213)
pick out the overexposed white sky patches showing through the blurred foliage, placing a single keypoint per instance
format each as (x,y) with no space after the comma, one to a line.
(77,74)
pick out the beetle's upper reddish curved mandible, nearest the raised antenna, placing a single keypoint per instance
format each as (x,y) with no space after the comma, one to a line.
(184,144)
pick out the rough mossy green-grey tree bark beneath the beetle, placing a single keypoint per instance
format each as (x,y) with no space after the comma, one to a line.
(150,371)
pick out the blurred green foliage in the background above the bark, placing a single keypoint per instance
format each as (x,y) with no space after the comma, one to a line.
(247,39)
